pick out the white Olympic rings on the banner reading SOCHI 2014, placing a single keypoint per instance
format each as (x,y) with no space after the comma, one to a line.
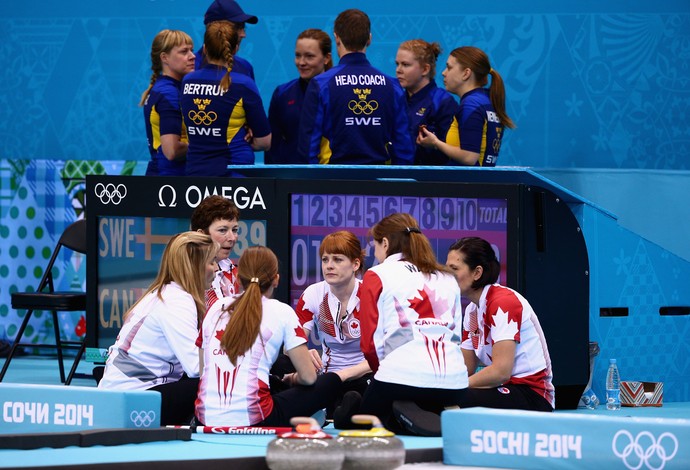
(644,449)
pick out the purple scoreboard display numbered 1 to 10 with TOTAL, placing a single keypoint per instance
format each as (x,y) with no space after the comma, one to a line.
(442,219)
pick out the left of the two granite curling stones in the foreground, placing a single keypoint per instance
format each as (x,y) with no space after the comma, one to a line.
(308,447)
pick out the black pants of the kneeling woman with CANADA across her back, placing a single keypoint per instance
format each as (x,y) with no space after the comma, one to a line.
(379,397)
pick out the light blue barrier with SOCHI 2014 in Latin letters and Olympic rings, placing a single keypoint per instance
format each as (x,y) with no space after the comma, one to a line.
(482,437)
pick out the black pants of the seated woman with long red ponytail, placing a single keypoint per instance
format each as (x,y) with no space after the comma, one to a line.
(302,400)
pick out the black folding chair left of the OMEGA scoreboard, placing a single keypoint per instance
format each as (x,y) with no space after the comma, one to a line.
(47,299)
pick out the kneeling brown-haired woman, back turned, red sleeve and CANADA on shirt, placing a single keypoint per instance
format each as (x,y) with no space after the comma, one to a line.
(410,315)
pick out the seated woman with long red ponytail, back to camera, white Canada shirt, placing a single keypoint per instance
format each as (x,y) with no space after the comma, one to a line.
(241,338)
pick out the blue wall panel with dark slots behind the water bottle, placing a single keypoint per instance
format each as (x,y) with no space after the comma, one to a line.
(629,272)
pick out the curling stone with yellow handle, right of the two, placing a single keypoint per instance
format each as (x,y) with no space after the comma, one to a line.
(373,449)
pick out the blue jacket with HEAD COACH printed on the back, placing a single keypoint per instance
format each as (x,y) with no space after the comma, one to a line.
(355,114)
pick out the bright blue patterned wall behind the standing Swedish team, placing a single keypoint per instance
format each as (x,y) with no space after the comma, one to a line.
(598,84)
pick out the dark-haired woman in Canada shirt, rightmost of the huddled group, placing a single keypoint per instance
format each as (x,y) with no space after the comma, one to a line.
(502,333)
